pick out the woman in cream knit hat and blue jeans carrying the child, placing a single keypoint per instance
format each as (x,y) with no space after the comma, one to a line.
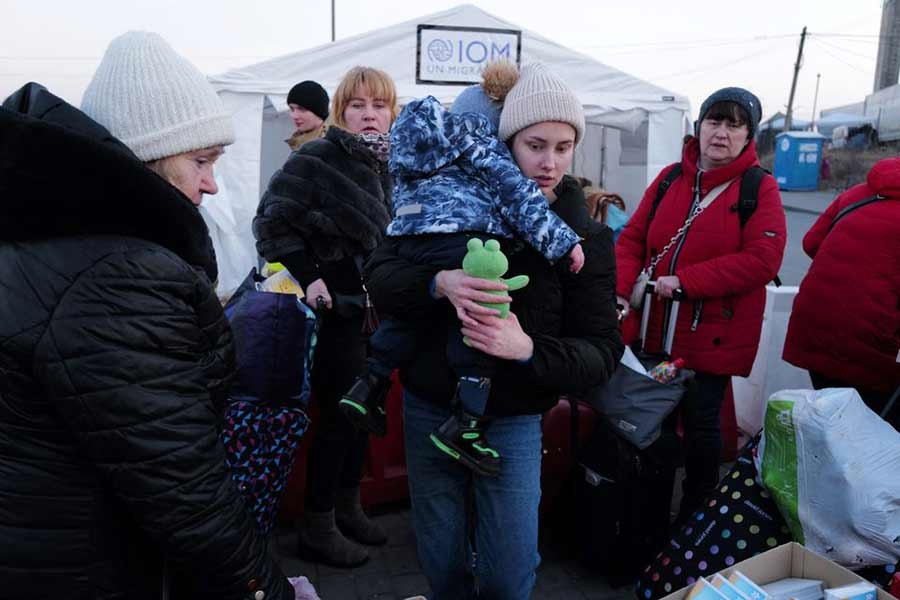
(561,336)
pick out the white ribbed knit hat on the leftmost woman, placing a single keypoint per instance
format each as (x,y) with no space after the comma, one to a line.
(154,100)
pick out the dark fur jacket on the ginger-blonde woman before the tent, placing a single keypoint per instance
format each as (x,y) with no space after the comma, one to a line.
(328,204)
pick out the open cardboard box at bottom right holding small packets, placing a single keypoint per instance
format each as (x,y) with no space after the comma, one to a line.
(789,560)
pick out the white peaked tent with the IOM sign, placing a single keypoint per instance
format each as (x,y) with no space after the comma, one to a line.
(634,128)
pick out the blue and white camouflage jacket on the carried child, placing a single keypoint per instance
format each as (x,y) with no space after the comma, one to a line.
(452,174)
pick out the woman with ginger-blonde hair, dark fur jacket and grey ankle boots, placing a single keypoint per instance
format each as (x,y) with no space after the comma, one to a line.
(321,216)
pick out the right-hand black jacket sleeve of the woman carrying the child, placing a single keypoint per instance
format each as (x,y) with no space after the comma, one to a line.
(590,347)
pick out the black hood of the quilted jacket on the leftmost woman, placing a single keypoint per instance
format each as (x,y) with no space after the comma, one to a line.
(64,175)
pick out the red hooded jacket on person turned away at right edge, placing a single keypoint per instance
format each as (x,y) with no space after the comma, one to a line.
(846,318)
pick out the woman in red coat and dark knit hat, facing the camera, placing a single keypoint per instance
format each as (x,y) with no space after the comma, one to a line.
(722,267)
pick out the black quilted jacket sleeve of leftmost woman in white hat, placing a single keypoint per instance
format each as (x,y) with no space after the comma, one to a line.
(132,359)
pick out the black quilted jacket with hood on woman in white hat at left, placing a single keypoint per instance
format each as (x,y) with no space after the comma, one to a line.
(114,356)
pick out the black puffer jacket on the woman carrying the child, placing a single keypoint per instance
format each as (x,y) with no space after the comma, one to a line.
(571,318)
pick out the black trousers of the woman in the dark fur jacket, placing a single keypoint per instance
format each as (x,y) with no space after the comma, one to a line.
(338,451)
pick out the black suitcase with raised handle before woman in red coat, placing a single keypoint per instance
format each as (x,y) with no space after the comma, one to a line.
(623,494)
